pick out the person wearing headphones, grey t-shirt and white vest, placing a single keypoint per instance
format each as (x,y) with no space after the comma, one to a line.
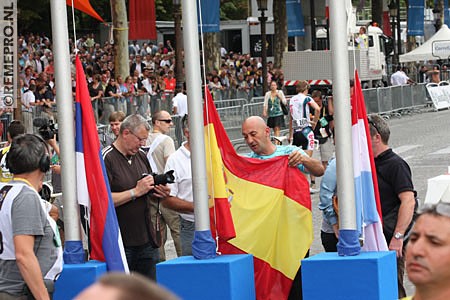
(31,252)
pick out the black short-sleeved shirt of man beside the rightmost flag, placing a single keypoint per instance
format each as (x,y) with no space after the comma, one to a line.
(394,177)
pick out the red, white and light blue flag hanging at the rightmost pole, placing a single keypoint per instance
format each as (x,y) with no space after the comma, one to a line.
(368,207)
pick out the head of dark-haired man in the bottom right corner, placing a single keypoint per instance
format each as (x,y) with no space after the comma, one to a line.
(428,253)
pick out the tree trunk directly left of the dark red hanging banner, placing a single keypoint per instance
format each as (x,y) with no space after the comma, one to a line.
(120,35)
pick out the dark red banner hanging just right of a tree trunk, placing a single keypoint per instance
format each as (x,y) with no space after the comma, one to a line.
(142,20)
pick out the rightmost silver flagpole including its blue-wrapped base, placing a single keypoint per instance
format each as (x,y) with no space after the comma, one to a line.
(343,129)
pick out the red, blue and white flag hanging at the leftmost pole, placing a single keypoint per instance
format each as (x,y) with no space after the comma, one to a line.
(92,184)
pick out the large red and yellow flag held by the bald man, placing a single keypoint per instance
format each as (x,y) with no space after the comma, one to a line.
(271,210)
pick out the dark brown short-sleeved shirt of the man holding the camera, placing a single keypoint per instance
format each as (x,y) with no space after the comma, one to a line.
(123,174)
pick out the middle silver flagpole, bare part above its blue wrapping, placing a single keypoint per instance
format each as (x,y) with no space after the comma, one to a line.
(194,92)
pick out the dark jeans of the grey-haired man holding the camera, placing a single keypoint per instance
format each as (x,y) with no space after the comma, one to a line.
(143,259)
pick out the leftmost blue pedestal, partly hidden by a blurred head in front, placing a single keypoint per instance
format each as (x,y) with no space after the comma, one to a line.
(75,278)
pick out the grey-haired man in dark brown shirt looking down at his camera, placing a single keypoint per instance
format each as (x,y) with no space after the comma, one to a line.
(126,164)
